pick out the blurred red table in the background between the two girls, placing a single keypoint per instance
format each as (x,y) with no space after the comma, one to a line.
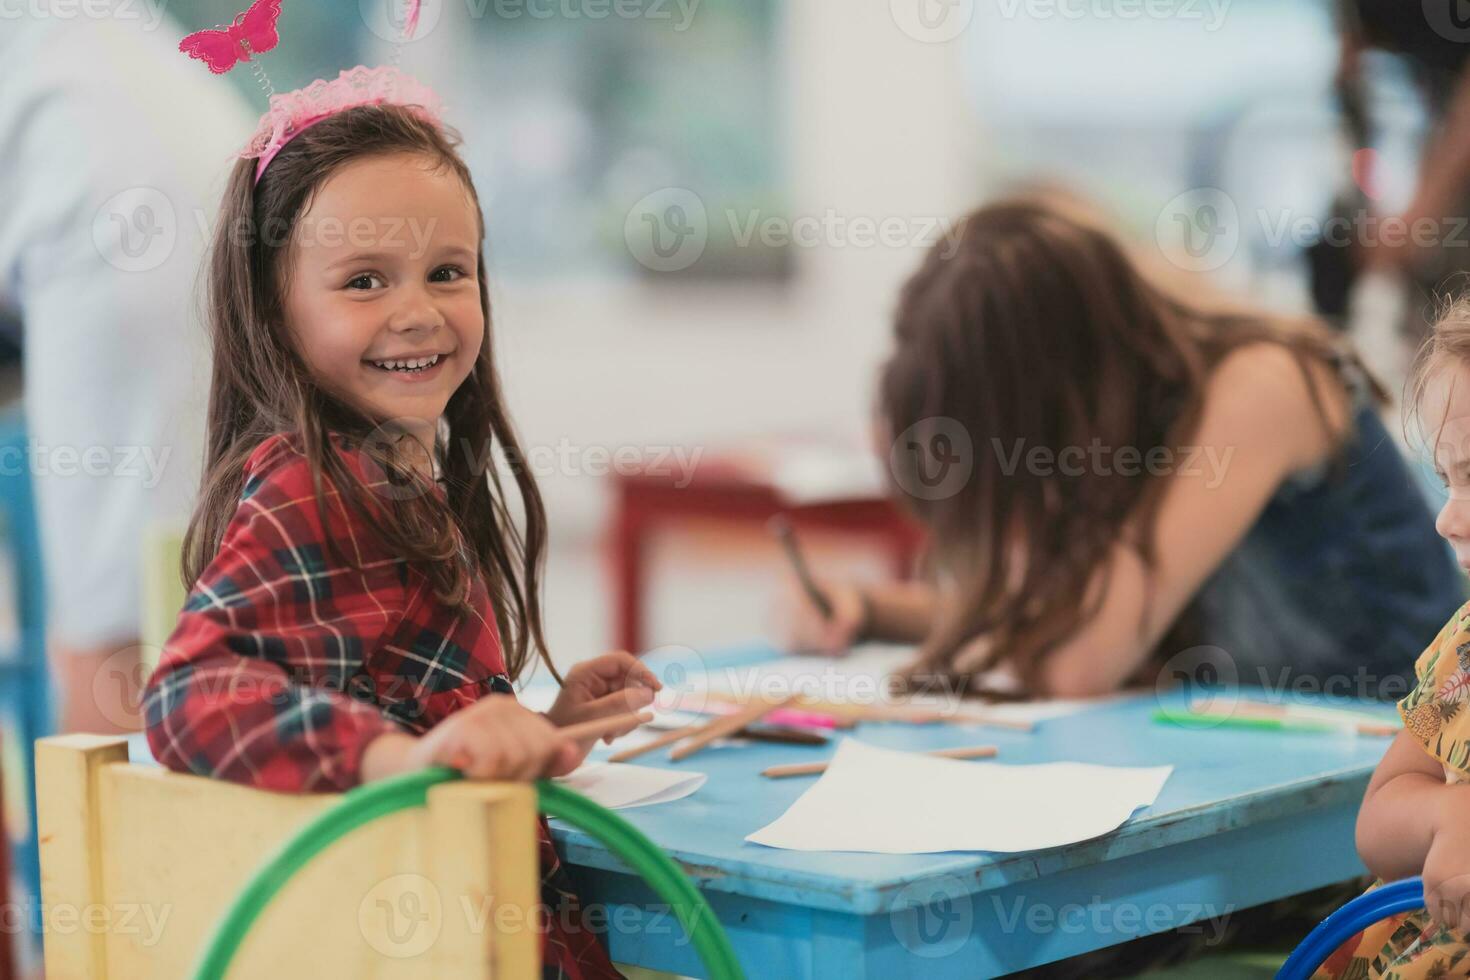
(733,491)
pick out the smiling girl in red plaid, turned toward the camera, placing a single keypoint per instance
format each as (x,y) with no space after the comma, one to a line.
(361,599)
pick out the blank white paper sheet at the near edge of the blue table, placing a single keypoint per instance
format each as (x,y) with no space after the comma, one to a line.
(884,801)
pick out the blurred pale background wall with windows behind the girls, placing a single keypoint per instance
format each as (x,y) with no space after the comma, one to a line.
(700,214)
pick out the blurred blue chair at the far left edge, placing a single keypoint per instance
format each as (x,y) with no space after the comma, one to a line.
(26,691)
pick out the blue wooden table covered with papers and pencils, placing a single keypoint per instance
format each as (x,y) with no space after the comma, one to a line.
(1246,818)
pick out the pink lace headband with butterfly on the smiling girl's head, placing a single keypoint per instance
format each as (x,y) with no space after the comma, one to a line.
(293,114)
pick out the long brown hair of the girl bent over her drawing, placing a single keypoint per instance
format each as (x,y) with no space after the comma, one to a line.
(1036,328)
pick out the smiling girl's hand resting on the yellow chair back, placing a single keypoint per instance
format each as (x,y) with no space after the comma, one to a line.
(498,738)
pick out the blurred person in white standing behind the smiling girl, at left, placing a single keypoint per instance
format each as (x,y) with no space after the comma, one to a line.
(114,151)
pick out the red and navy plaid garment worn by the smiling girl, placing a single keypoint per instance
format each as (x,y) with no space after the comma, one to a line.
(286,665)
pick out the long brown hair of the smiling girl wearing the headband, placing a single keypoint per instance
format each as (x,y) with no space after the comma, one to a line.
(261,387)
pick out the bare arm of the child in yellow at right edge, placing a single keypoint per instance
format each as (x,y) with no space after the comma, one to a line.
(1406,806)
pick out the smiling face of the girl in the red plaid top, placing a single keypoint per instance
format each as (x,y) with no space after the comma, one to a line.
(383,292)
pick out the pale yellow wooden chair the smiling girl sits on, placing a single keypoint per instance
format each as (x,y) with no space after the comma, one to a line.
(140,863)
